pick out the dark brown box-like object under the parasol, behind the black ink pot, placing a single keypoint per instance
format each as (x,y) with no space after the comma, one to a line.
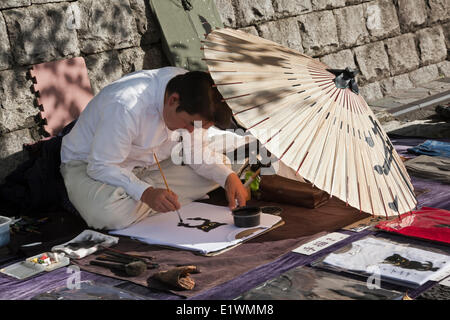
(284,190)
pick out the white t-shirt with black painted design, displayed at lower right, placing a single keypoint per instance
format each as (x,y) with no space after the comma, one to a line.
(392,262)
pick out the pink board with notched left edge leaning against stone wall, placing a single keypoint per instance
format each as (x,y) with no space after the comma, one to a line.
(63,90)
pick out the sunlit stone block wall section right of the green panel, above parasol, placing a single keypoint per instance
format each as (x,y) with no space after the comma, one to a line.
(396,44)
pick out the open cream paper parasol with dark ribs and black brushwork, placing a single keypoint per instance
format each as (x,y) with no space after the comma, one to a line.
(311,118)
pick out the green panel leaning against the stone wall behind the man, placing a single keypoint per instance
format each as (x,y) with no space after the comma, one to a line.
(183,25)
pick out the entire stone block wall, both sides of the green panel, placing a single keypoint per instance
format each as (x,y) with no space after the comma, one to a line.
(396,44)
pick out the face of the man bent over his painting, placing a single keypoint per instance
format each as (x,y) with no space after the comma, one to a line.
(180,120)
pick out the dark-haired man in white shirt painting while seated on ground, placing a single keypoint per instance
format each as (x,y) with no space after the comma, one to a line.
(107,160)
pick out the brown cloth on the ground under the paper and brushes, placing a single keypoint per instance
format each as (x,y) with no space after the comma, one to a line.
(301,225)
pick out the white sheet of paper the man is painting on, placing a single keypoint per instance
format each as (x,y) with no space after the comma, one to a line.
(163,229)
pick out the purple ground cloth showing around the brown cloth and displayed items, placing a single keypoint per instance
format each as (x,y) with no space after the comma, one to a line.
(436,196)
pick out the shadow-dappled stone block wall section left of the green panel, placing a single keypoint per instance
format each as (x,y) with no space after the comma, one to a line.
(115,37)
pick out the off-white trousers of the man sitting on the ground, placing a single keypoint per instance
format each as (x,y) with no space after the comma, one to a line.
(103,206)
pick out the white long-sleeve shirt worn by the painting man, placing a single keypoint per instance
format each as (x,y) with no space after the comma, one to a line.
(122,127)
